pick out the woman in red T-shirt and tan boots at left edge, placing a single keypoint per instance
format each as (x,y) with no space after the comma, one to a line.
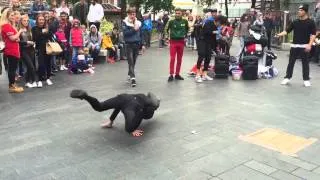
(11,39)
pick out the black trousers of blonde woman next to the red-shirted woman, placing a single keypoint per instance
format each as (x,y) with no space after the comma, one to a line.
(28,60)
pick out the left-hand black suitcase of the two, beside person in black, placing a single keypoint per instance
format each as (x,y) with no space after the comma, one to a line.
(221,68)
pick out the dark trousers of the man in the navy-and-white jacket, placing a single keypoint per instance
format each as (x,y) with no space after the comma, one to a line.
(132,55)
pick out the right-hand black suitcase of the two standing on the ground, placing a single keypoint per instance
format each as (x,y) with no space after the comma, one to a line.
(250,67)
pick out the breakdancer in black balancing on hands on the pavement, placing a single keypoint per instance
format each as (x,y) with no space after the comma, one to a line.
(135,107)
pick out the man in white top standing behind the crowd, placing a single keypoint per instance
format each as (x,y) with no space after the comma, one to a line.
(95,14)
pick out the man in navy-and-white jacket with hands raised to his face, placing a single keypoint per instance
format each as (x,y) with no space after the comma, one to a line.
(132,36)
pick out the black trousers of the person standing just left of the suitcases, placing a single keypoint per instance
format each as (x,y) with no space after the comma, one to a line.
(204,53)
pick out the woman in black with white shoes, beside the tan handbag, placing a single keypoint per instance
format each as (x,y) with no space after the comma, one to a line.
(41,36)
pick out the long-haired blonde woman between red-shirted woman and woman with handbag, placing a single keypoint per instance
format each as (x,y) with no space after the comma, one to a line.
(27,52)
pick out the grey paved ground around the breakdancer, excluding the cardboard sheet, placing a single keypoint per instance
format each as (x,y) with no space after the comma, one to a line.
(46,135)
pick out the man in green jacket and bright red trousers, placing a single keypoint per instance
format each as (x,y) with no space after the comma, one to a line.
(176,30)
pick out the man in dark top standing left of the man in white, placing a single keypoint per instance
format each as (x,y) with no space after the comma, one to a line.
(80,11)
